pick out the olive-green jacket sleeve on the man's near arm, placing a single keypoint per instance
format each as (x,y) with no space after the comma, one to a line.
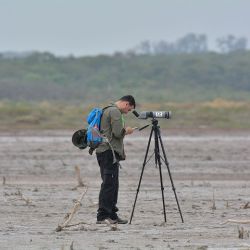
(117,126)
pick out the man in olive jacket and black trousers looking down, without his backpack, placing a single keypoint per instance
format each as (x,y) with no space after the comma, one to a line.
(109,155)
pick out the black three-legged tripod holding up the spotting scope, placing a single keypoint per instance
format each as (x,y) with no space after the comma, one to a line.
(158,157)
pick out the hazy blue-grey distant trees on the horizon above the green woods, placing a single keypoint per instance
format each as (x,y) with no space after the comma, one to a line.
(188,44)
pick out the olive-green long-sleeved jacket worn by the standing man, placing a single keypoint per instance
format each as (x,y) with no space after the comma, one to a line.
(113,128)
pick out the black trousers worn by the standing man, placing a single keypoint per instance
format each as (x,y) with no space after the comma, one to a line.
(110,184)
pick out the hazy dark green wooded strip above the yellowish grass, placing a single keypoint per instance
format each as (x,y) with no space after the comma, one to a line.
(151,78)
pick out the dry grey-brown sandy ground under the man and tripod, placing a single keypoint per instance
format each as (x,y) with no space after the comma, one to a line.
(40,169)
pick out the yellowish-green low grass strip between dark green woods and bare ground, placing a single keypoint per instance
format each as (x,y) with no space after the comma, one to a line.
(47,115)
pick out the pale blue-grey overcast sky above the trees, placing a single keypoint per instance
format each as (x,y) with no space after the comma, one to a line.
(90,27)
